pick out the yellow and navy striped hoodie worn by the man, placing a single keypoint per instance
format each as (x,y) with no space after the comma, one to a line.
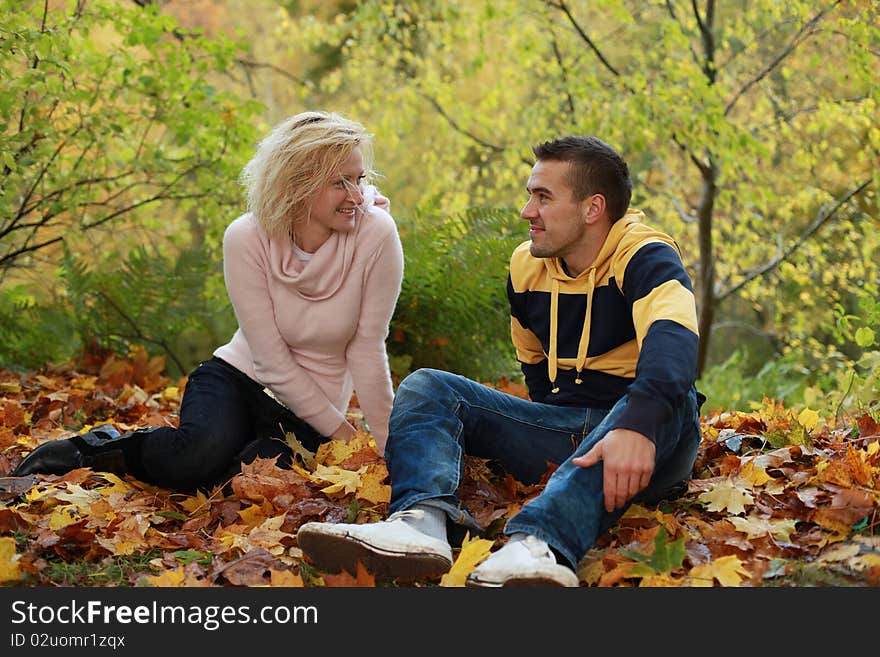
(627,324)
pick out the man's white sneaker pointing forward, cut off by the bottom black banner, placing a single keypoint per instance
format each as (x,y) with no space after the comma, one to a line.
(528,562)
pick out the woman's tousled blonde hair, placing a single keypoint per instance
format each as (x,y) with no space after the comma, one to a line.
(295,161)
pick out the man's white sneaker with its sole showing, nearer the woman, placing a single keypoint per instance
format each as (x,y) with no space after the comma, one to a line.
(388,549)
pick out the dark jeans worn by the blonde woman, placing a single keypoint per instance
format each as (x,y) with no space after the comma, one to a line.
(225,419)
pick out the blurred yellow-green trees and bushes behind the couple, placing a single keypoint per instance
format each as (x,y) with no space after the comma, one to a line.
(750,128)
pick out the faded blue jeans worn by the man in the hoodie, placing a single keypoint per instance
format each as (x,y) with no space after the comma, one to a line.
(438,417)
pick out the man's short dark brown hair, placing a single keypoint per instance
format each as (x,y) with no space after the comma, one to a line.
(596,168)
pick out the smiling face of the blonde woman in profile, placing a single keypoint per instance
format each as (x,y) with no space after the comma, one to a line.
(337,206)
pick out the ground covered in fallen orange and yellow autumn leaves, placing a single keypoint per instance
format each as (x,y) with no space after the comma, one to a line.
(779,498)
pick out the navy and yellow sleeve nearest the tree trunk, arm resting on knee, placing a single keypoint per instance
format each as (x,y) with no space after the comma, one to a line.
(661,297)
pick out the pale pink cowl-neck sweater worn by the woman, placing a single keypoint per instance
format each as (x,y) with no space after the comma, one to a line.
(314,336)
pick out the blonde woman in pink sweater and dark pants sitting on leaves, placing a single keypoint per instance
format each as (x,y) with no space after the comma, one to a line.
(313,271)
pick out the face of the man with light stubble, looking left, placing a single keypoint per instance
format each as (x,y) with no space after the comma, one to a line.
(556,225)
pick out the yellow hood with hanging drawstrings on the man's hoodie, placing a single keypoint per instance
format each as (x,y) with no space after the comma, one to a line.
(626,236)
